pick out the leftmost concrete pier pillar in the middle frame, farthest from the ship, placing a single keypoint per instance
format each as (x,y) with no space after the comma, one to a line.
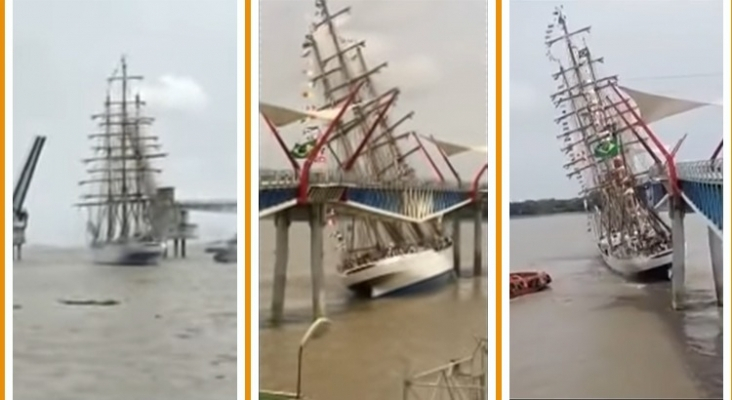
(282,251)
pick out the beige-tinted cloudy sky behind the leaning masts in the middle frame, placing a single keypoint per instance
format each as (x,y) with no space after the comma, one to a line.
(436,51)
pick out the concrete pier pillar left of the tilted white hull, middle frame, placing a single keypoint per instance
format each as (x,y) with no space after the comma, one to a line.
(317,222)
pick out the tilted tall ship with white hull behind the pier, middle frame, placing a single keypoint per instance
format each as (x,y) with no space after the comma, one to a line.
(376,257)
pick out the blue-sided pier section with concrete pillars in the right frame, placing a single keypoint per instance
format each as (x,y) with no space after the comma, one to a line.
(692,187)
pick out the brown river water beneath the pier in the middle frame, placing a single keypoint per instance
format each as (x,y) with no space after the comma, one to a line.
(372,344)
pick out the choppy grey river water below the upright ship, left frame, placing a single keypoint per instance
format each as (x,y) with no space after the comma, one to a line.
(172,335)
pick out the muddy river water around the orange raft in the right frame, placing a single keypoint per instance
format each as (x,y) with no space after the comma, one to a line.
(597,335)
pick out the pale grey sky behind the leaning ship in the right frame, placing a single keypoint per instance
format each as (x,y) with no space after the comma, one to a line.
(639,39)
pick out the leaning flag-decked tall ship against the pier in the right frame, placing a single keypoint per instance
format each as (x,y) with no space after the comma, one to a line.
(609,155)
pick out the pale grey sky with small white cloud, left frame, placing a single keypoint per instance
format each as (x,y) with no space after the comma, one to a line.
(63,53)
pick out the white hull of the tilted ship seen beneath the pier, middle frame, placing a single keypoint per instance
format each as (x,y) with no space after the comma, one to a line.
(399,272)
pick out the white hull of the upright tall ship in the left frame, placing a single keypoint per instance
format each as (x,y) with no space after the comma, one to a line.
(128,253)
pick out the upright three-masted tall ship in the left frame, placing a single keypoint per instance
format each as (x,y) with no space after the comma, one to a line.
(121,189)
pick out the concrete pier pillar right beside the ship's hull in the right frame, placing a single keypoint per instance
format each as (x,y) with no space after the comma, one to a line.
(678,264)
